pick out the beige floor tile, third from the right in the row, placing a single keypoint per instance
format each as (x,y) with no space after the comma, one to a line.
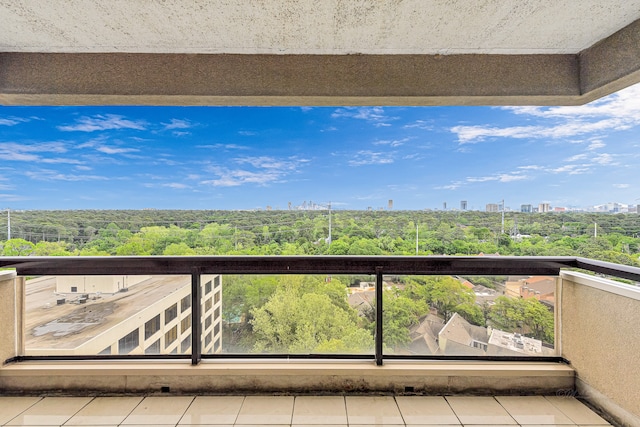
(479,410)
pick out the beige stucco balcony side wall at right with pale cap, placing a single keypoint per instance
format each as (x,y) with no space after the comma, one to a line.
(599,336)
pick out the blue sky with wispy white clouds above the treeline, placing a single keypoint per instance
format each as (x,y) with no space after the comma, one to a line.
(247,158)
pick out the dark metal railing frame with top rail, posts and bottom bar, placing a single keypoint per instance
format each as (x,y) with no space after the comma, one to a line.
(195,266)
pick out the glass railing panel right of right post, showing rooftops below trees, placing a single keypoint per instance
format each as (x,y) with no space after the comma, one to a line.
(469,316)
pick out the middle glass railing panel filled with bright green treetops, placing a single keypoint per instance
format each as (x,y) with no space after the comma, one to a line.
(297,314)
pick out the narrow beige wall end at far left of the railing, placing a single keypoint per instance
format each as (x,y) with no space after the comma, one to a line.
(11,315)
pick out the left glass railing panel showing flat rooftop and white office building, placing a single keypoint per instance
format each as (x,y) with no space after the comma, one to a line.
(107,315)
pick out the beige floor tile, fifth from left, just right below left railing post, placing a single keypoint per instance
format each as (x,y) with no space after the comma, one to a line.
(213,410)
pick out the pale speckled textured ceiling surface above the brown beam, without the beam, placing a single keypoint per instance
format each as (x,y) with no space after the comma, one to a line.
(311,27)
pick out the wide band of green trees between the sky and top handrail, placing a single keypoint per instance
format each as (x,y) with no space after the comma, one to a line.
(609,237)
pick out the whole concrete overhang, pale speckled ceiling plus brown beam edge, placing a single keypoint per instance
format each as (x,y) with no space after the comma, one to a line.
(322,52)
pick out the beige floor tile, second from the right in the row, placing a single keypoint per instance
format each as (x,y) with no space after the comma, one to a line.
(533,410)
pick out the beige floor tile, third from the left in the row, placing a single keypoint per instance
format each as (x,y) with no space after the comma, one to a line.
(104,411)
